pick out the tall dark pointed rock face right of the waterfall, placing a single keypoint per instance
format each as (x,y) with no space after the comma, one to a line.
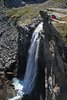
(54,53)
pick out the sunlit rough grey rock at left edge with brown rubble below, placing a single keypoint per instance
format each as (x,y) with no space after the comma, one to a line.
(8,50)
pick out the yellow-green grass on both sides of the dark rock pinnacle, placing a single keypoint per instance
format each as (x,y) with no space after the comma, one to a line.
(29,12)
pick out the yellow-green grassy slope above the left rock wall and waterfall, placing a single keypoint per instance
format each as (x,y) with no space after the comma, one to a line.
(31,11)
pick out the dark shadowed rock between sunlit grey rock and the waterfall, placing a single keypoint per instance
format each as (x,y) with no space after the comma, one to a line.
(24,38)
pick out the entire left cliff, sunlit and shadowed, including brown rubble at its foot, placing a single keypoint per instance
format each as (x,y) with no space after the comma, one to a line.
(14,44)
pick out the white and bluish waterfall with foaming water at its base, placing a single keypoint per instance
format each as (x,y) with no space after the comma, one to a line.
(26,85)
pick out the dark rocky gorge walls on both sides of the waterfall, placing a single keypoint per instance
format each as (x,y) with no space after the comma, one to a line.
(14,45)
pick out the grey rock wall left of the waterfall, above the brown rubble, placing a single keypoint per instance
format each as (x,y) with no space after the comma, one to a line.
(14,43)
